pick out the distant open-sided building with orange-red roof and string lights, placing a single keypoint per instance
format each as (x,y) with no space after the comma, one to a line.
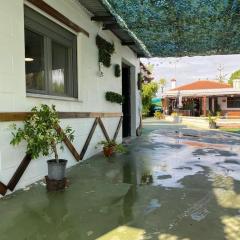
(203,96)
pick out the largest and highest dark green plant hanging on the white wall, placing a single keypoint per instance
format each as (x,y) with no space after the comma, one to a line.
(105,50)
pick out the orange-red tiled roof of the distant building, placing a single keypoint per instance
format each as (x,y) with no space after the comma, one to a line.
(202,84)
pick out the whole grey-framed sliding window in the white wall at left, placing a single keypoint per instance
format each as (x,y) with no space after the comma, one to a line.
(50,57)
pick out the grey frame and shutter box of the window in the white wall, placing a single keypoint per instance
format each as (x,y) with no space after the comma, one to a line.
(52,32)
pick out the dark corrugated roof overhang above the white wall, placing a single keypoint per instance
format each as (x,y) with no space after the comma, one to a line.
(102,11)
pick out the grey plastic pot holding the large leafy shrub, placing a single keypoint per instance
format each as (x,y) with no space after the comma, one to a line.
(56,170)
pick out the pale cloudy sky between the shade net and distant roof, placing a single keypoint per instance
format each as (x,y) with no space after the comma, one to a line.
(188,69)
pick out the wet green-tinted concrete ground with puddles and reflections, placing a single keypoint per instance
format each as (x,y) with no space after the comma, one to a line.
(174,183)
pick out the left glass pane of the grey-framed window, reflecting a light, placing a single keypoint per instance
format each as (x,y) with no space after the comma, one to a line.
(34,60)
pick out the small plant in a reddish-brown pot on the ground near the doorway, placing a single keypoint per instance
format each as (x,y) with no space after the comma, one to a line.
(111,147)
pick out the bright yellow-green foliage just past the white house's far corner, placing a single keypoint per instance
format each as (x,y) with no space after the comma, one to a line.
(149,90)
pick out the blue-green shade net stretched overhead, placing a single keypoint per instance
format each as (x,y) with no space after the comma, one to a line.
(183,27)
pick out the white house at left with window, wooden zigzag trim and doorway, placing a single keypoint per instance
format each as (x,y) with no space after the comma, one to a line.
(49,55)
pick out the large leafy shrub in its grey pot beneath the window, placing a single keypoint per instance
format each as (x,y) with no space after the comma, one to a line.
(42,133)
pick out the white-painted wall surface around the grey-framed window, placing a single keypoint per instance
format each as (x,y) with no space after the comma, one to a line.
(91,87)
